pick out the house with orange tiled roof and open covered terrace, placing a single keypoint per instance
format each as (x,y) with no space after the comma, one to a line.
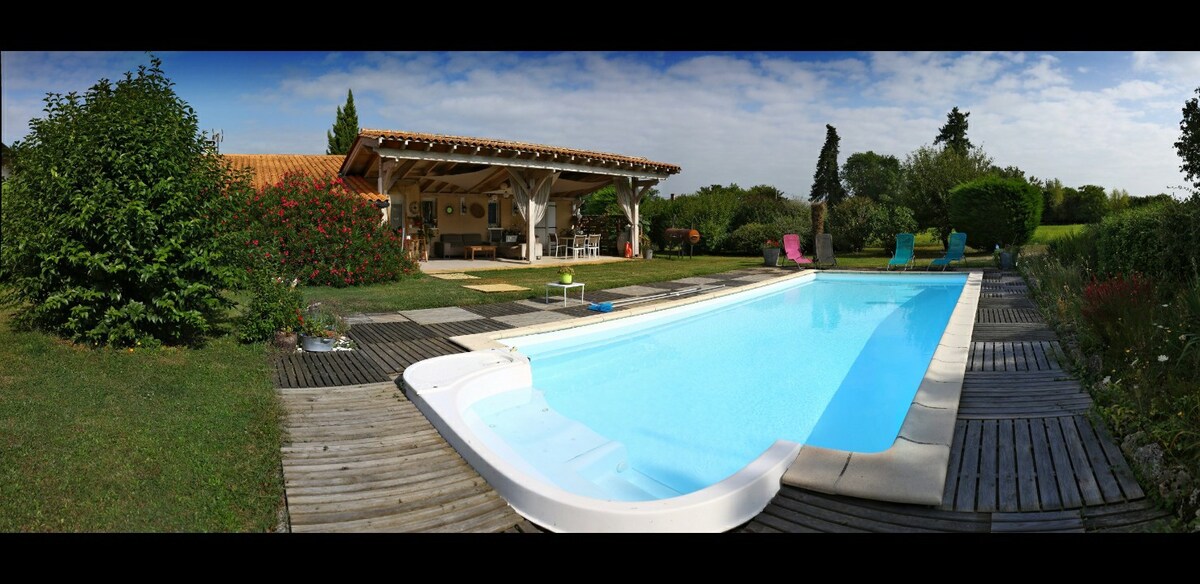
(472,186)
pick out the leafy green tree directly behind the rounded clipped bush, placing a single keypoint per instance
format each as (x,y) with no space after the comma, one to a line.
(929,176)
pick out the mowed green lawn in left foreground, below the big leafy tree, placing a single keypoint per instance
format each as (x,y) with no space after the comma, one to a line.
(146,441)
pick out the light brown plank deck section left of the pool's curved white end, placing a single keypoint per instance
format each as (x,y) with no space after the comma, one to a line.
(363,459)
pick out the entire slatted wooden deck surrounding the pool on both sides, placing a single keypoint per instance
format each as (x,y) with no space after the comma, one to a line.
(1025,456)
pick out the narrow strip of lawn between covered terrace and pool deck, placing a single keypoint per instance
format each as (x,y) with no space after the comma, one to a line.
(428,292)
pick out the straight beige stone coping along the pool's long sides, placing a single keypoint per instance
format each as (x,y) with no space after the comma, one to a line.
(914,469)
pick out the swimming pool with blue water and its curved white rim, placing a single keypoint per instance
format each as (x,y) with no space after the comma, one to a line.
(701,402)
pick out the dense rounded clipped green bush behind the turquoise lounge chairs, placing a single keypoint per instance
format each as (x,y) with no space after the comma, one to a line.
(997,212)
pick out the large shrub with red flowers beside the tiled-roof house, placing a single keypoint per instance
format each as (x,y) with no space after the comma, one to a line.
(323,234)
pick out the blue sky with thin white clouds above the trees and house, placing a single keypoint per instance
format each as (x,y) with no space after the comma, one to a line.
(1107,119)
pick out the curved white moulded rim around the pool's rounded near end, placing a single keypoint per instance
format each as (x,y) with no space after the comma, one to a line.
(471,377)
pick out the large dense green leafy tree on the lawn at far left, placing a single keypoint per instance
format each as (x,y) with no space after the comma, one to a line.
(115,219)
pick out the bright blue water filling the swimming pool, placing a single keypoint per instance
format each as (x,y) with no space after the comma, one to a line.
(669,404)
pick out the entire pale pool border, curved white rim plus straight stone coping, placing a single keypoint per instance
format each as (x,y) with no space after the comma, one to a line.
(913,471)
